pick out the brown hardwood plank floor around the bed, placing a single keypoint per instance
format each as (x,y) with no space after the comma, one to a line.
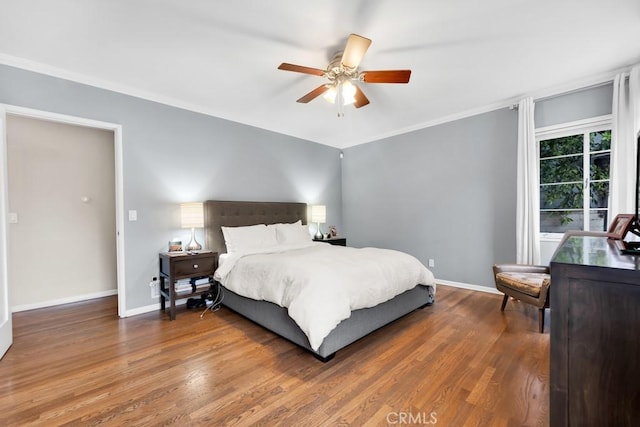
(460,362)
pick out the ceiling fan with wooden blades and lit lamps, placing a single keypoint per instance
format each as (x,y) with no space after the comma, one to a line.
(342,72)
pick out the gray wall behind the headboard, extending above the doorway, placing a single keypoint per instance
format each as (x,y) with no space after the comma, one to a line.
(172,155)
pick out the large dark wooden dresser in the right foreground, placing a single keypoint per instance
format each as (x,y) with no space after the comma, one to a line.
(595,335)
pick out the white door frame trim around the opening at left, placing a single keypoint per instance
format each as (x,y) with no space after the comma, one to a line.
(6,109)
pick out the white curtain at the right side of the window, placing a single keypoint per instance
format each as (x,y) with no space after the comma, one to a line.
(626,123)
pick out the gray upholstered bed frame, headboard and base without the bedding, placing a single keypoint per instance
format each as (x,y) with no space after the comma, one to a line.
(361,322)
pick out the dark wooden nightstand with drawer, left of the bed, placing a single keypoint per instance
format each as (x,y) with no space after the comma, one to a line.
(182,265)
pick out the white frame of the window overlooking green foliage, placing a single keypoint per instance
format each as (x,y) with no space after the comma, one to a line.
(560,130)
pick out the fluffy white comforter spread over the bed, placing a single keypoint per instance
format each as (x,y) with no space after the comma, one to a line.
(321,284)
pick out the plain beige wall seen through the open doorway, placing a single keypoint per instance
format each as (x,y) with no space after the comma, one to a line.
(61,247)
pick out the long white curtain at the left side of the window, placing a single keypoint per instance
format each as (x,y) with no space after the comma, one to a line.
(528,192)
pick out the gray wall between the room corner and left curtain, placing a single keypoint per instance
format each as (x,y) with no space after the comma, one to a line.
(446,193)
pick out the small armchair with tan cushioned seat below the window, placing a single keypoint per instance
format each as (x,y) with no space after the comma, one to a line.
(527,283)
